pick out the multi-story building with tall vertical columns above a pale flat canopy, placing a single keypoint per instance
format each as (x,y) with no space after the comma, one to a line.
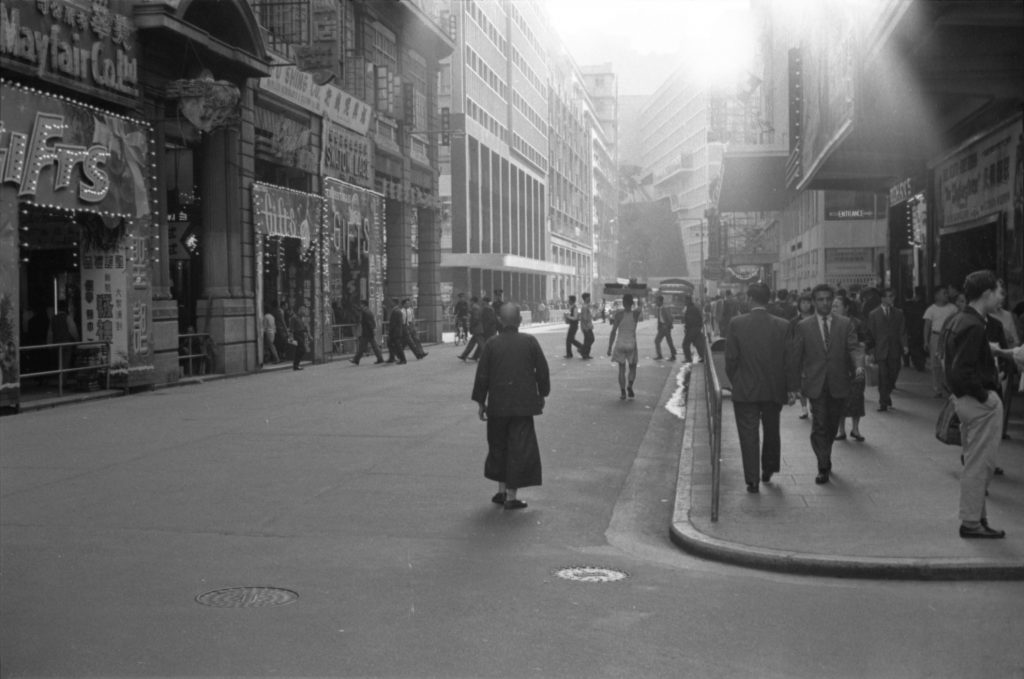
(497,90)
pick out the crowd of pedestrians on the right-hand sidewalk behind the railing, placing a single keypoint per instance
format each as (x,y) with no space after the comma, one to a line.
(823,349)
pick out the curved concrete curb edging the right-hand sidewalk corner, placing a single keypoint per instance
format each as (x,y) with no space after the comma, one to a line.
(687,536)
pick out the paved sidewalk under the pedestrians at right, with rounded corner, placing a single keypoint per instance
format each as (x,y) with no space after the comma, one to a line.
(890,511)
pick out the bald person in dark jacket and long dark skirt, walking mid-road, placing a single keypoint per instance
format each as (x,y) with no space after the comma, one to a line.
(513,381)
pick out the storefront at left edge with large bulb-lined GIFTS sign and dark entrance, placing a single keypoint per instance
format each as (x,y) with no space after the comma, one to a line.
(75,244)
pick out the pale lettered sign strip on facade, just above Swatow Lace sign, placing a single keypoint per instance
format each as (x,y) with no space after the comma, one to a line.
(334,104)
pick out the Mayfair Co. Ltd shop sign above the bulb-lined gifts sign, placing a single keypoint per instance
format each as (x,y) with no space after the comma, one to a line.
(90,47)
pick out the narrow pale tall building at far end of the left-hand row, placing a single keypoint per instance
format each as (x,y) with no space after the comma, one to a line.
(603,87)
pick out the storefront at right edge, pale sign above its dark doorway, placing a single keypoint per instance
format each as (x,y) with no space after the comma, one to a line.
(978,198)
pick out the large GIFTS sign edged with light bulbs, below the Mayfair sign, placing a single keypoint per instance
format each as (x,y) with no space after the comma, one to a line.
(73,157)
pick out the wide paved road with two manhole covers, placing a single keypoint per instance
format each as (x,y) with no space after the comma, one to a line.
(361,490)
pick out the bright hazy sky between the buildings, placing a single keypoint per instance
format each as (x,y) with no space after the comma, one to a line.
(646,40)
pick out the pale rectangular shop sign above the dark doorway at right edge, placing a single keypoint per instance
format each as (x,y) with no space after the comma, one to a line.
(978,181)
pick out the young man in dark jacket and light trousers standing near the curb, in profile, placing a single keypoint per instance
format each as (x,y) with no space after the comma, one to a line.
(974,380)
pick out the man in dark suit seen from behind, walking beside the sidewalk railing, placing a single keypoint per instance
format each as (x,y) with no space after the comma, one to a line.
(755,362)
